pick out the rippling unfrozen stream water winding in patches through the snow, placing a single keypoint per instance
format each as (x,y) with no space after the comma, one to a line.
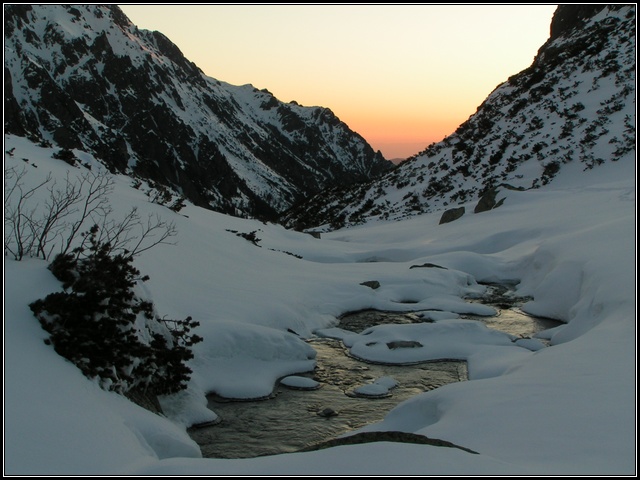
(293,418)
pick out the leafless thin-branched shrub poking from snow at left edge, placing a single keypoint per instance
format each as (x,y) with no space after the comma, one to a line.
(47,218)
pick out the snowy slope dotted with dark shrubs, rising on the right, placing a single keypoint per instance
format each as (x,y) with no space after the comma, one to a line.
(574,107)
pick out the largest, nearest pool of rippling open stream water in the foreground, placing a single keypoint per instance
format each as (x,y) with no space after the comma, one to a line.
(294,420)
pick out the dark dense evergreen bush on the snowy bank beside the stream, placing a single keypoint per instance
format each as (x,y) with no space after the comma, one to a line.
(110,334)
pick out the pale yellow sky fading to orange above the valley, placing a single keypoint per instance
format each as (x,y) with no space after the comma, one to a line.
(402,76)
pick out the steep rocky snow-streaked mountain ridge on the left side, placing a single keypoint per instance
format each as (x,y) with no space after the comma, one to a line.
(85,79)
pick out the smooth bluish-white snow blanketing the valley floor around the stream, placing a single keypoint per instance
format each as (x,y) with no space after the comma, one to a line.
(527,408)
